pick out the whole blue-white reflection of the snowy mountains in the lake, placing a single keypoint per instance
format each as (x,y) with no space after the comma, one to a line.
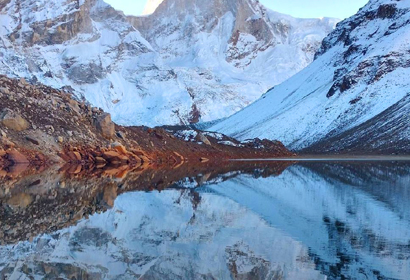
(293,226)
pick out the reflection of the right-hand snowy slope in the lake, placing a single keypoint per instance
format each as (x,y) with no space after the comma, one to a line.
(333,219)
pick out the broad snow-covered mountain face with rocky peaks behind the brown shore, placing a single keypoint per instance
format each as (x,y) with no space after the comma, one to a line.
(194,61)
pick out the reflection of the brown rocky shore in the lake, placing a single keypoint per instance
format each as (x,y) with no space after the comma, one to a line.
(76,192)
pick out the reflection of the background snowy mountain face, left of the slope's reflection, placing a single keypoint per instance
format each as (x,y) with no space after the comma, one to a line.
(160,235)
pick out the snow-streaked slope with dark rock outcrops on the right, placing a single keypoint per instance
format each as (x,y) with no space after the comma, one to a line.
(354,96)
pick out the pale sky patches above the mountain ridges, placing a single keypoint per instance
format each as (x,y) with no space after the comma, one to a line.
(297,8)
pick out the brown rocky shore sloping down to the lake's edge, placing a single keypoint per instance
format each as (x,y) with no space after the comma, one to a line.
(41,126)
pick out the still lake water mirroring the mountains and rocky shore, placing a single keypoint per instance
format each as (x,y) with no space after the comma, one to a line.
(261,221)
